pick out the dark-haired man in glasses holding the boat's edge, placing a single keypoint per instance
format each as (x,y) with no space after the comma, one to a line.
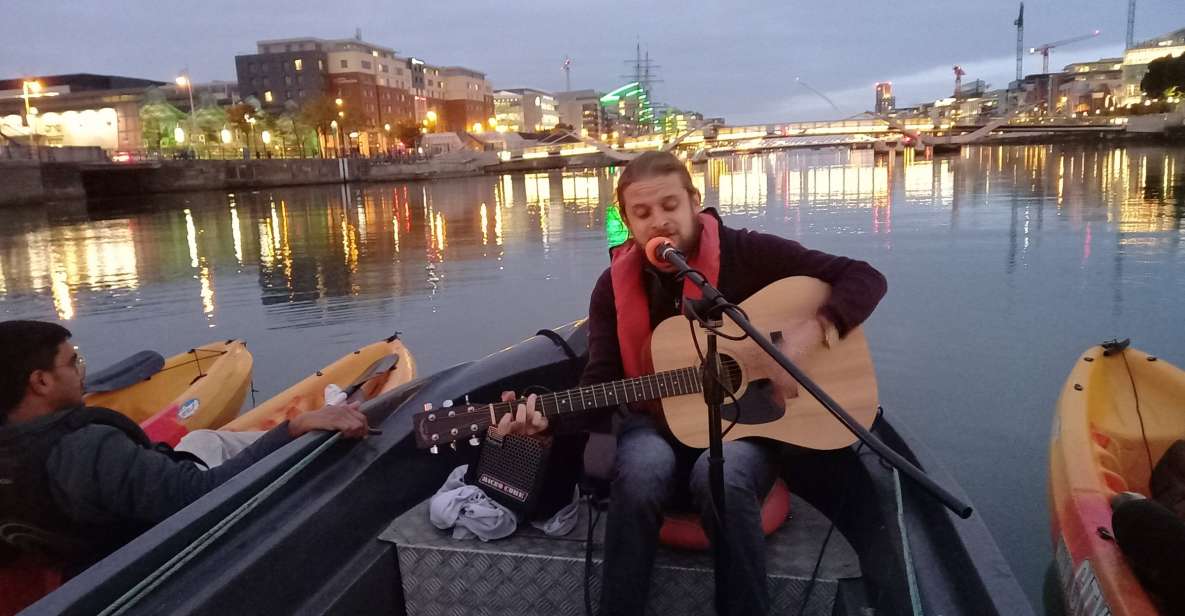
(78,483)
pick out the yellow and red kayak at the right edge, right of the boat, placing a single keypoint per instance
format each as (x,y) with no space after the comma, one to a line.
(1119,413)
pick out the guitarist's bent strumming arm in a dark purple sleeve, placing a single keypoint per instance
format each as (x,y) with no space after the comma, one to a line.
(856,287)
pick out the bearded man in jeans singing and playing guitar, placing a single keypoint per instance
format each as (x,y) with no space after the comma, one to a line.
(631,299)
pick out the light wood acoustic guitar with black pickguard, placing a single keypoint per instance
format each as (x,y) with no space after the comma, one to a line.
(758,406)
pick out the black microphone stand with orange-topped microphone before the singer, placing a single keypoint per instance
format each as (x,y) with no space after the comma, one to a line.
(718,304)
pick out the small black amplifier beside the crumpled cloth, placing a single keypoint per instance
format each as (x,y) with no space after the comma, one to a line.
(511,470)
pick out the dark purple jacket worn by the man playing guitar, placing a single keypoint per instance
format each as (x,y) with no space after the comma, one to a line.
(750,262)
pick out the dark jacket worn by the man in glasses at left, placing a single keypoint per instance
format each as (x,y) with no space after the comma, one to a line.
(85,483)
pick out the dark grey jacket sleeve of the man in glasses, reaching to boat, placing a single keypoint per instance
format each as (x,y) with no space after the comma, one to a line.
(99,476)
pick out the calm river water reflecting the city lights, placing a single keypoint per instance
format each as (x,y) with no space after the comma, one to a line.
(1003,265)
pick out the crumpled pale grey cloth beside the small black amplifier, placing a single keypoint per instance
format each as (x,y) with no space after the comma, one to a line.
(469,511)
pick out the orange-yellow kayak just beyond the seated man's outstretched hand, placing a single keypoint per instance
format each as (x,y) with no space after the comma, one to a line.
(377,368)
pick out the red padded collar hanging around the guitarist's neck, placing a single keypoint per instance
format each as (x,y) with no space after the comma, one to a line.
(633,305)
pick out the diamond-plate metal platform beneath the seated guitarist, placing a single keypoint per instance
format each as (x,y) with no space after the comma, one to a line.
(534,574)
